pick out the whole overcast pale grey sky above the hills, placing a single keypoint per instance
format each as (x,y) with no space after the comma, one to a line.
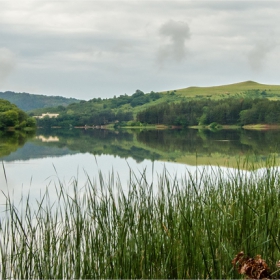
(90,49)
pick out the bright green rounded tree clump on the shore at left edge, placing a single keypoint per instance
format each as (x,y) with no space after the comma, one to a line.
(12,116)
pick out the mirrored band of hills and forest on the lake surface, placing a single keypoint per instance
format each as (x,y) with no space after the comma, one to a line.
(184,146)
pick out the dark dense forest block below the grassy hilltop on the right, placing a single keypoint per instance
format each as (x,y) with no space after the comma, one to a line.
(206,111)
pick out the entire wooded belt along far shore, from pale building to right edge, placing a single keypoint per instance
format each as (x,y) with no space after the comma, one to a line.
(227,111)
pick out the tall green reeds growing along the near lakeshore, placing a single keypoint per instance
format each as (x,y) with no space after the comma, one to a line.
(190,227)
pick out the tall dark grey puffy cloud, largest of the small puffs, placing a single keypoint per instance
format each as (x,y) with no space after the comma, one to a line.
(177,32)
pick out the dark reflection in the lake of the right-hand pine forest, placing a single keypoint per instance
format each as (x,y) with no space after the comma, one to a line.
(228,142)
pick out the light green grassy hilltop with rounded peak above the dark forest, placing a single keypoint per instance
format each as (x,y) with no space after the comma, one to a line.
(248,88)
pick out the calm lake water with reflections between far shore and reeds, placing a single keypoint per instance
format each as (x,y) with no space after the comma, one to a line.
(32,163)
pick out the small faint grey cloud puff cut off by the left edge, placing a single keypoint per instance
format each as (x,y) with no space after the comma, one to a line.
(7,63)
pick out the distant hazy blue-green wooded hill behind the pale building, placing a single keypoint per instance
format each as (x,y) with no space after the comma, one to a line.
(28,102)
